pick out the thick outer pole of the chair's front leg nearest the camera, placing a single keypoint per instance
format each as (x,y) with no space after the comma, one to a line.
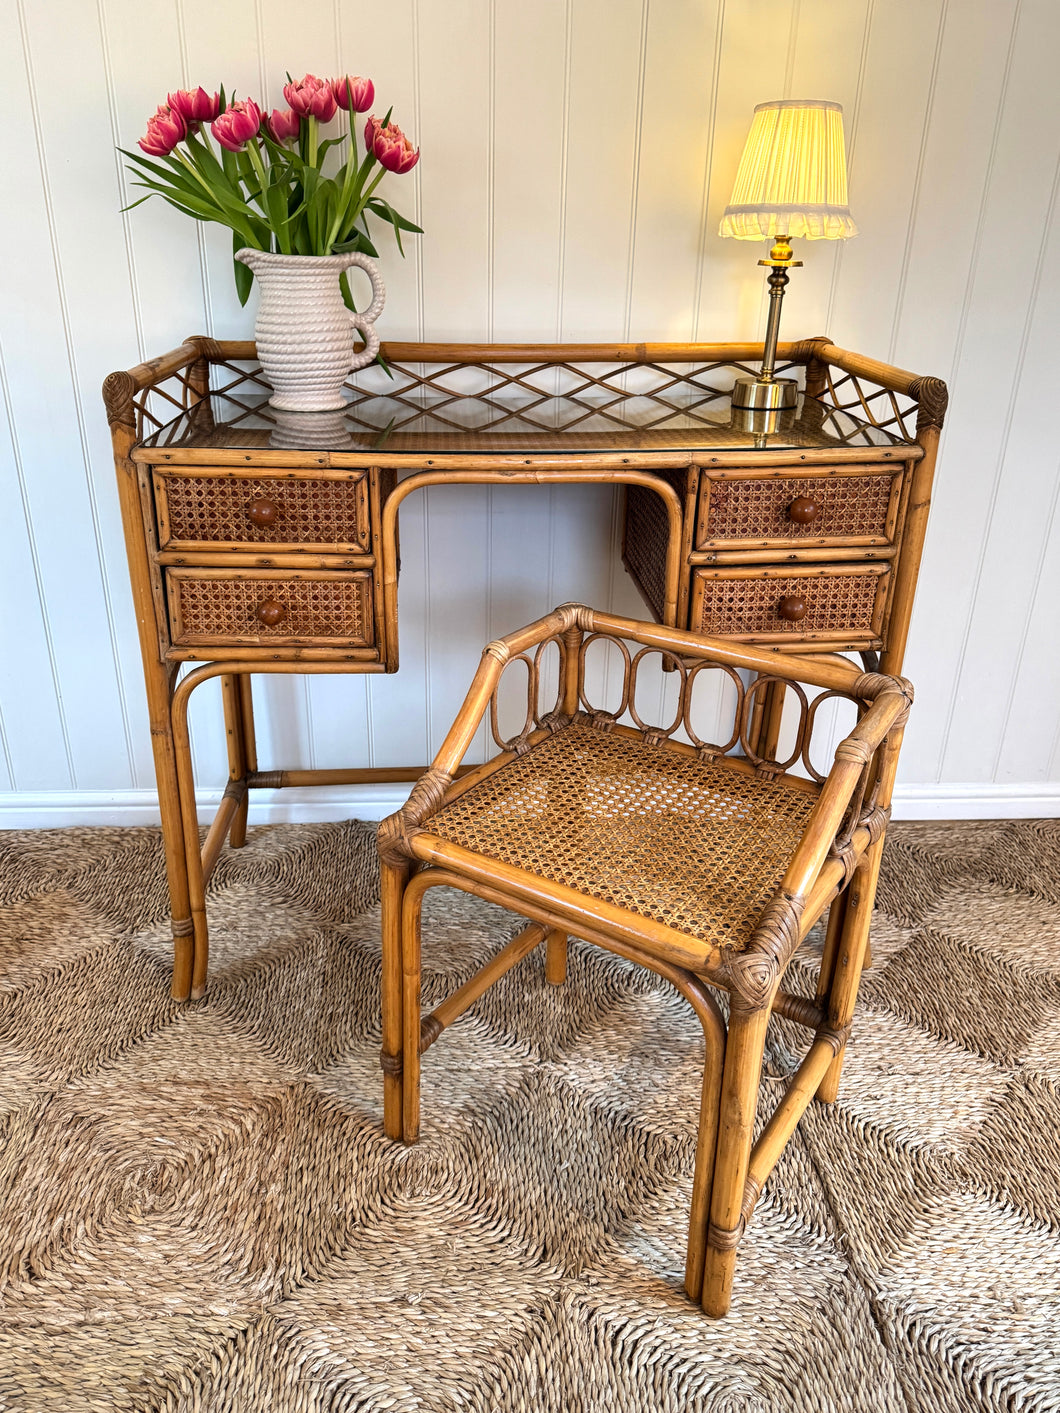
(744,1051)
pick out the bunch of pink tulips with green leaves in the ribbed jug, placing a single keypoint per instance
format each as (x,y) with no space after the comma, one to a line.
(266,182)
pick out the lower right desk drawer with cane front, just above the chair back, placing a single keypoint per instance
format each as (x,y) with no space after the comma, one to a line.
(829,604)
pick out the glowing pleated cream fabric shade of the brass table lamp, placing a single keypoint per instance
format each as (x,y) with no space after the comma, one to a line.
(792,177)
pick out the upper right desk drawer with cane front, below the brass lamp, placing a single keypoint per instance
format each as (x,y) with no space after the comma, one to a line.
(847,505)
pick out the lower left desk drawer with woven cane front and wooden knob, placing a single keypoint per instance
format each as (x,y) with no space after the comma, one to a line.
(259,607)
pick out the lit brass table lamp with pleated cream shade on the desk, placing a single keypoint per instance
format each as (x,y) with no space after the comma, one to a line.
(792,182)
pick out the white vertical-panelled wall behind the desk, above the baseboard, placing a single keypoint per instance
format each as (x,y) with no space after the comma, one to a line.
(576,160)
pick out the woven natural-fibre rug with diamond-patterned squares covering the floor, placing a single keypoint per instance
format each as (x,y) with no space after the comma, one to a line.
(200,1210)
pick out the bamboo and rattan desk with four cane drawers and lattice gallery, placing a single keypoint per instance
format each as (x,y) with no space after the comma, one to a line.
(268,543)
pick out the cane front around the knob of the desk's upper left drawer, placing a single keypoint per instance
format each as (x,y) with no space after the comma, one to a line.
(310,511)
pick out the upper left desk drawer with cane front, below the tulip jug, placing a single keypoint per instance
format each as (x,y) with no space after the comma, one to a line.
(211,509)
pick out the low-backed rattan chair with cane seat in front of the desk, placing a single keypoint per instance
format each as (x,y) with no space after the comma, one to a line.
(706,863)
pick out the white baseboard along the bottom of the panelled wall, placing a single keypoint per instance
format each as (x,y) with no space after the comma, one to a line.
(59,809)
